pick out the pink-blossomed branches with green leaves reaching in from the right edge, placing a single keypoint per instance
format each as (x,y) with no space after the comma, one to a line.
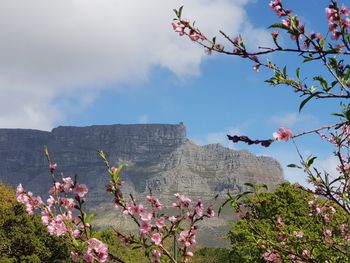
(331,50)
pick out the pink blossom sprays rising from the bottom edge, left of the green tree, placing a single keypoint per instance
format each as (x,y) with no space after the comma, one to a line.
(64,215)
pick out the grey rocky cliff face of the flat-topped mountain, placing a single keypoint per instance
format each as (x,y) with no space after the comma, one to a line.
(159,157)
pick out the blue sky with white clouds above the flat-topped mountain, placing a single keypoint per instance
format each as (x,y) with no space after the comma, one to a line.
(87,62)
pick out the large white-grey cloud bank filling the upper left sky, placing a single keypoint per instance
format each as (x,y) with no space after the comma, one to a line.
(54,48)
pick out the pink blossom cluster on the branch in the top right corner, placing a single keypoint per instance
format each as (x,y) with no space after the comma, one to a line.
(334,18)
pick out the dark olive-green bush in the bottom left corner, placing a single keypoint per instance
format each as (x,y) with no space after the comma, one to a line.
(23,239)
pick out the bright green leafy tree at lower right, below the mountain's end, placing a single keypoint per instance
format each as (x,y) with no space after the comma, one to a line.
(282,220)
